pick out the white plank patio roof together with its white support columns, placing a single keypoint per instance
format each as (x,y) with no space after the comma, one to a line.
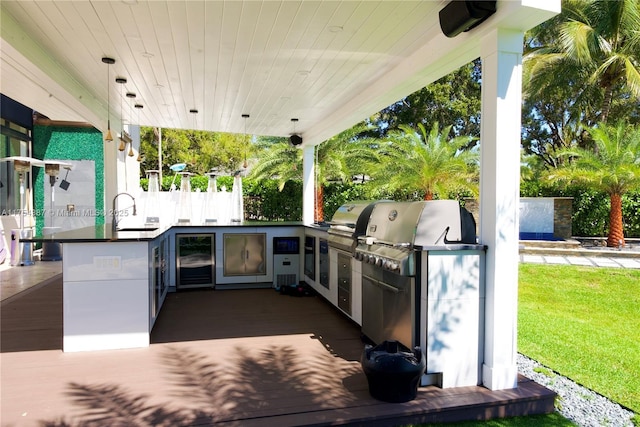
(328,64)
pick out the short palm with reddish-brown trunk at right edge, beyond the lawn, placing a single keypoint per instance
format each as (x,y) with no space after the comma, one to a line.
(613,167)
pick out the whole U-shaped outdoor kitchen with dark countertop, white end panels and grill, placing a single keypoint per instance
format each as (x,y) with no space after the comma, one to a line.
(419,290)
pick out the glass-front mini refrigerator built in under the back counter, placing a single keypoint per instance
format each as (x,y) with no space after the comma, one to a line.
(195,261)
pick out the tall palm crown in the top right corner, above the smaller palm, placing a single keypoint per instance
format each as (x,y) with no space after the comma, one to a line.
(595,45)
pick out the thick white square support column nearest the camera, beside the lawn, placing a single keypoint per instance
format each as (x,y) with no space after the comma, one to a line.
(501,54)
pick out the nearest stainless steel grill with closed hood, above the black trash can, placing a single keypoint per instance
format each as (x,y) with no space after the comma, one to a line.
(396,233)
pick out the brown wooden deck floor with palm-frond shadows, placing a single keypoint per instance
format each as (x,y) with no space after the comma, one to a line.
(228,358)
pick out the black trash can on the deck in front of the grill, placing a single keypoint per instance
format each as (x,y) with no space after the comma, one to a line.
(393,371)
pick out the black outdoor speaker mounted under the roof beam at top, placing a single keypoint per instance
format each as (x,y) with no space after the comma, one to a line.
(459,16)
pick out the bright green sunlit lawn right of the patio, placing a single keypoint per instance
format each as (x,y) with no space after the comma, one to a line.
(584,323)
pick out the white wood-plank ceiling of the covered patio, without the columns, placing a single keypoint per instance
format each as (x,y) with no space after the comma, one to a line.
(329,64)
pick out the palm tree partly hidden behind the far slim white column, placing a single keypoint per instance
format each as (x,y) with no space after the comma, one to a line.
(337,159)
